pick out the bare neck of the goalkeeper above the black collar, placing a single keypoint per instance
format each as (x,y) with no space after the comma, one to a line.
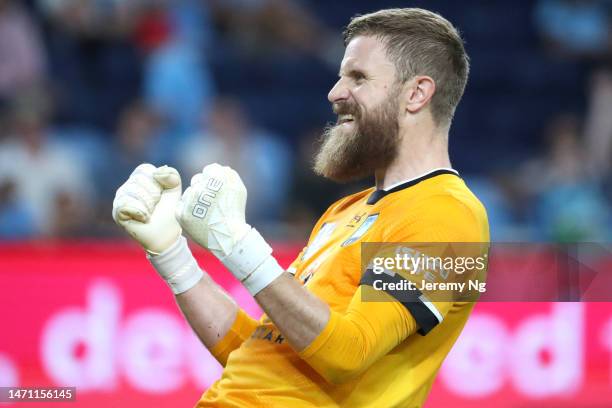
(420,152)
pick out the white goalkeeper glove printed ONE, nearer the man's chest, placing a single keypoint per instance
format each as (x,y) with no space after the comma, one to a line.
(212,213)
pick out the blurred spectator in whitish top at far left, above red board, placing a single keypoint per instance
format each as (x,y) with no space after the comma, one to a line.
(35,173)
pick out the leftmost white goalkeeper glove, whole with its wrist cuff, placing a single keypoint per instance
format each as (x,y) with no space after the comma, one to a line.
(145,206)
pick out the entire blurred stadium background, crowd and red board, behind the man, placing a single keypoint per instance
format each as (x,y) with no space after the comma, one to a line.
(91,88)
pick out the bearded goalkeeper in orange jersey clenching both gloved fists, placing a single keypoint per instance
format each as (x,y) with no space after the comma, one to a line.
(321,341)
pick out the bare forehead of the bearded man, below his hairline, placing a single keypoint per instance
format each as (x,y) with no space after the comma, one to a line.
(367,53)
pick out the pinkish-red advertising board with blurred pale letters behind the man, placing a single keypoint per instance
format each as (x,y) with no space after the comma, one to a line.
(95,316)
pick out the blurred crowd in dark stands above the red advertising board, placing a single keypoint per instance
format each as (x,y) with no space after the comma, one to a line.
(90,89)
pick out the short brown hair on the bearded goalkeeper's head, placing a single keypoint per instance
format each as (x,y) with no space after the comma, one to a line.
(420,42)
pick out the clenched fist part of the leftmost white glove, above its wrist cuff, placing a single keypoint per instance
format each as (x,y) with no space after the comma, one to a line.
(145,207)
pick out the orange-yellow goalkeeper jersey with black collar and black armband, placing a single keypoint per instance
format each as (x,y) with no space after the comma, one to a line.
(370,354)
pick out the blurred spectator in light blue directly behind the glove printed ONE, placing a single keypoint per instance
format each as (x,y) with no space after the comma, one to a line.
(261,159)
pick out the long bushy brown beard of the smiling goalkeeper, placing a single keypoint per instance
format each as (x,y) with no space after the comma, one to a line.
(369,142)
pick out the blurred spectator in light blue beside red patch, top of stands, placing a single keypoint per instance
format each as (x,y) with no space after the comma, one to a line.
(177,82)
